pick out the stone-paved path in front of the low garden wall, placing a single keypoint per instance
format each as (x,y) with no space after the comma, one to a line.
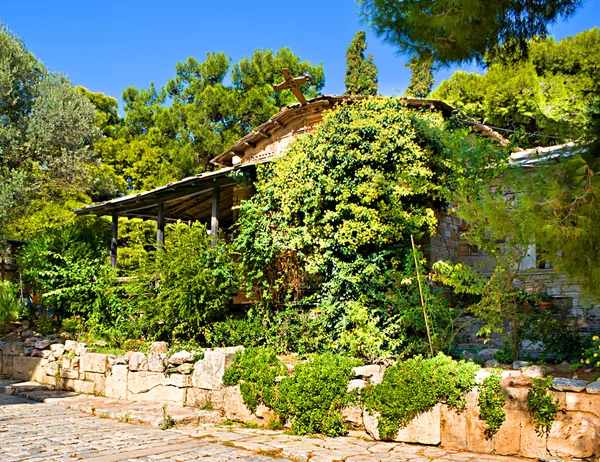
(34,431)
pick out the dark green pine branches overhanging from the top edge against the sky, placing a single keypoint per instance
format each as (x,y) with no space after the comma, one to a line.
(456,32)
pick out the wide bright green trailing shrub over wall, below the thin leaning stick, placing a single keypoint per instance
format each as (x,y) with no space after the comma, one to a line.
(415,385)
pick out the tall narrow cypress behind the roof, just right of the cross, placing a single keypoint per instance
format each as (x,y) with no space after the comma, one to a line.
(361,71)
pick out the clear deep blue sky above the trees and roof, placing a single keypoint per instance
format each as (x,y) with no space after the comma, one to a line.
(109,45)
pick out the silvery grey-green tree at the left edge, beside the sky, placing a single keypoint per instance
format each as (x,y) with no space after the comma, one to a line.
(46,132)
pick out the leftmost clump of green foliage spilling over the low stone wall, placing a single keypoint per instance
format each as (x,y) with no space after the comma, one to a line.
(255,369)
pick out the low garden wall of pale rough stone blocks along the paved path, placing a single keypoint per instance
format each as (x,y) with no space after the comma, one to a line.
(195,379)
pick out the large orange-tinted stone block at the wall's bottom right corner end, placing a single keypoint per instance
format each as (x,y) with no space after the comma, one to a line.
(574,435)
